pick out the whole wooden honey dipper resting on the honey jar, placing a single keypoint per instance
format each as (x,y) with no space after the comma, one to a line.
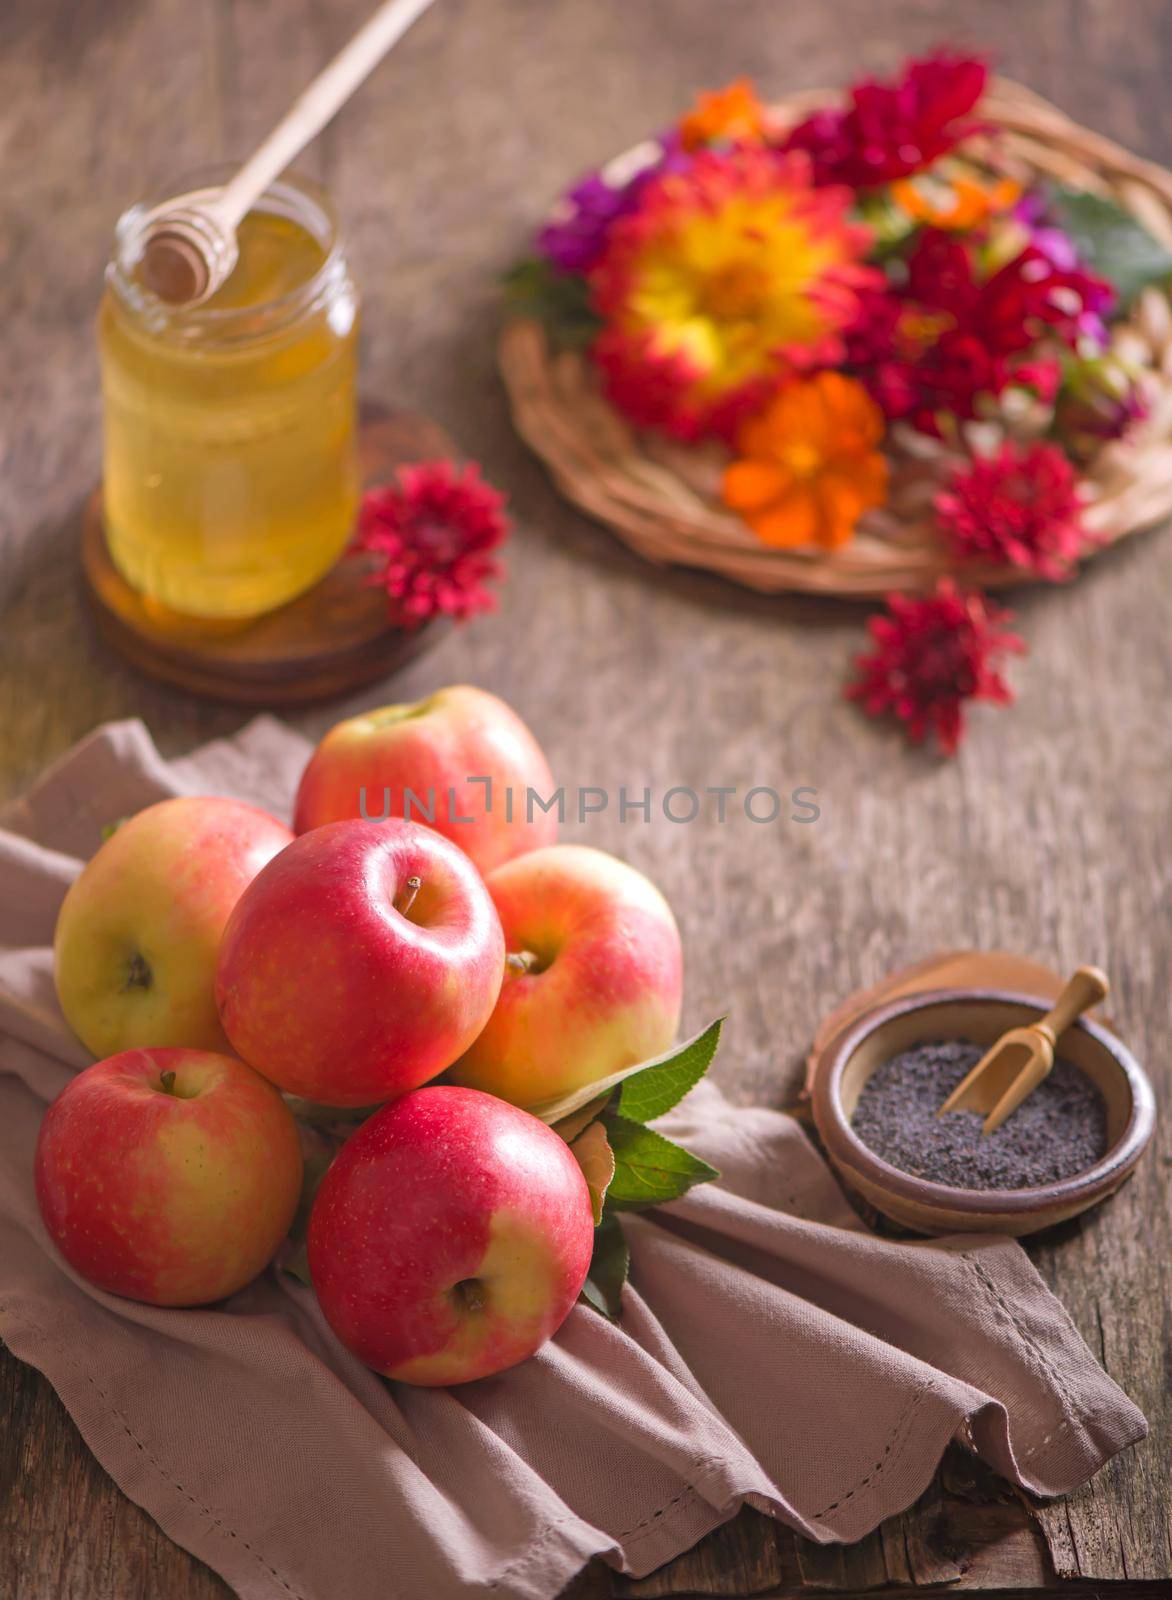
(190,242)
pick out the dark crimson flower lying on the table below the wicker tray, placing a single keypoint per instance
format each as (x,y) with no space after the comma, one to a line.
(931,655)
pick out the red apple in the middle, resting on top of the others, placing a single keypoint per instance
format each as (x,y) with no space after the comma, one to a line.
(361,962)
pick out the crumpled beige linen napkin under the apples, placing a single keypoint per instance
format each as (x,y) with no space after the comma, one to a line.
(771,1351)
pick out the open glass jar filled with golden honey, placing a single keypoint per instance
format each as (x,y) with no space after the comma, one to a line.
(230,471)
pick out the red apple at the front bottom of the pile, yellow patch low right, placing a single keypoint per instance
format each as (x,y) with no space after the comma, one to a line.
(451,1238)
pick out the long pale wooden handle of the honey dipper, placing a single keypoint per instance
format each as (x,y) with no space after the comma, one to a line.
(316,106)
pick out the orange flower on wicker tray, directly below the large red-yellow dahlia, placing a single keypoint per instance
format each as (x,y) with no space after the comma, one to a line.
(809,463)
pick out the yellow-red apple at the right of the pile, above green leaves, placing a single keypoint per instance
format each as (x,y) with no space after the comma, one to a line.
(593,978)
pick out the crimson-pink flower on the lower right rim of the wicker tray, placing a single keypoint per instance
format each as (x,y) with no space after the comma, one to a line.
(1017,508)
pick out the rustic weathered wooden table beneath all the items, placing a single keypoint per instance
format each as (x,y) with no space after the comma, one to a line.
(1046,836)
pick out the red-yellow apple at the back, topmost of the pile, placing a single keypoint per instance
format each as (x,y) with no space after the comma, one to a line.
(470,766)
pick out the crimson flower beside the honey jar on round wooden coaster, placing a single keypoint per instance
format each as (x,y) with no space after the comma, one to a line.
(433,532)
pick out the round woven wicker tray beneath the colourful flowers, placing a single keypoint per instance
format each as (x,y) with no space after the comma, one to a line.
(664,498)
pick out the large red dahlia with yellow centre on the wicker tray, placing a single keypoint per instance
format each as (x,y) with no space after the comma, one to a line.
(728,278)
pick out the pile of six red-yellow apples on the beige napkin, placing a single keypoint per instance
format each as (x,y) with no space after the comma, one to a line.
(220,964)
